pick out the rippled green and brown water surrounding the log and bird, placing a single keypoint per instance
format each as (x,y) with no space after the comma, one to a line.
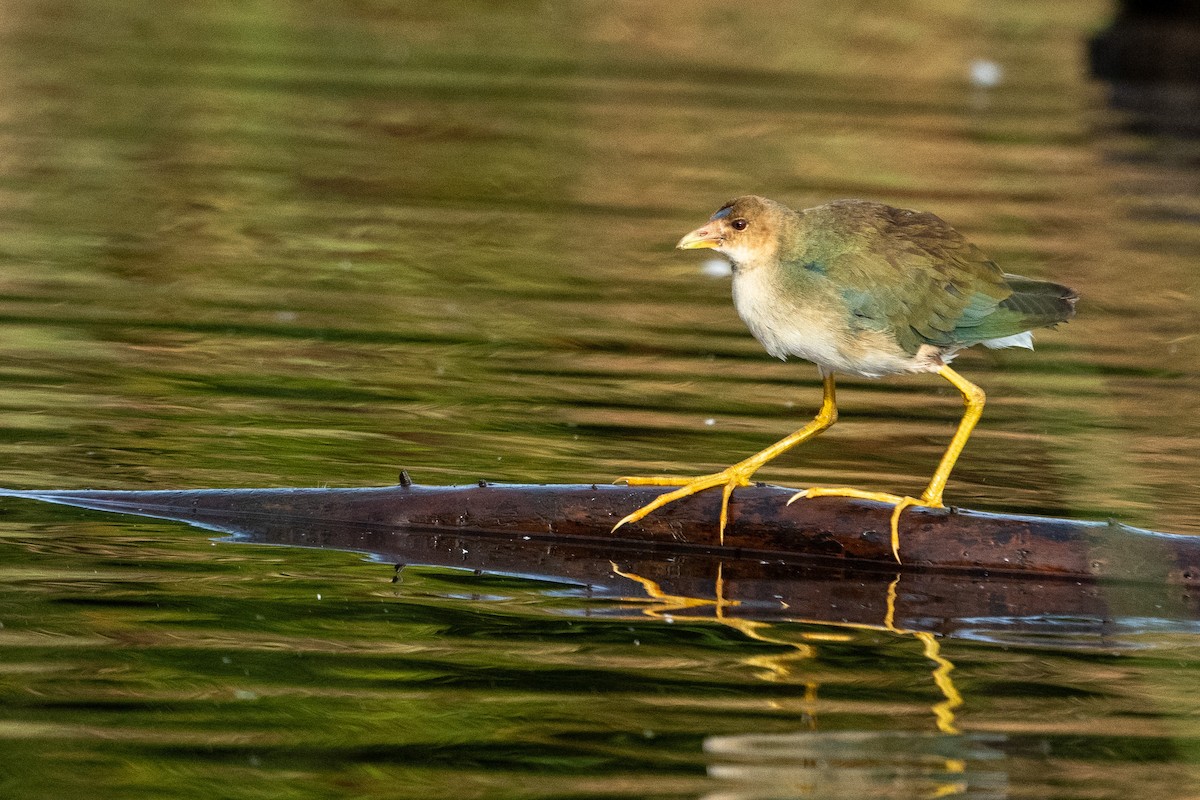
(311,244)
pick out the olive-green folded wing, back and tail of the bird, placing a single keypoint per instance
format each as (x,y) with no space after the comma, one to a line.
(913,275)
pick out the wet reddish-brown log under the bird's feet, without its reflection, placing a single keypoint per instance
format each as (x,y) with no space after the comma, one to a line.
(831,532)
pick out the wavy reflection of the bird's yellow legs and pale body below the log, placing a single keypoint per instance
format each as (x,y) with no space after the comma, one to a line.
(934,763)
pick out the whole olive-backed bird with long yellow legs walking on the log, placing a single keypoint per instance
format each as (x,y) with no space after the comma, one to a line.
(862,288)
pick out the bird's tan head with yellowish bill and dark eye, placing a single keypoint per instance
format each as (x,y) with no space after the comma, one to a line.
(747,231)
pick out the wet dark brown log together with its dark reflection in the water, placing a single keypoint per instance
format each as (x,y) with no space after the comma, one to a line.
(826,561)
